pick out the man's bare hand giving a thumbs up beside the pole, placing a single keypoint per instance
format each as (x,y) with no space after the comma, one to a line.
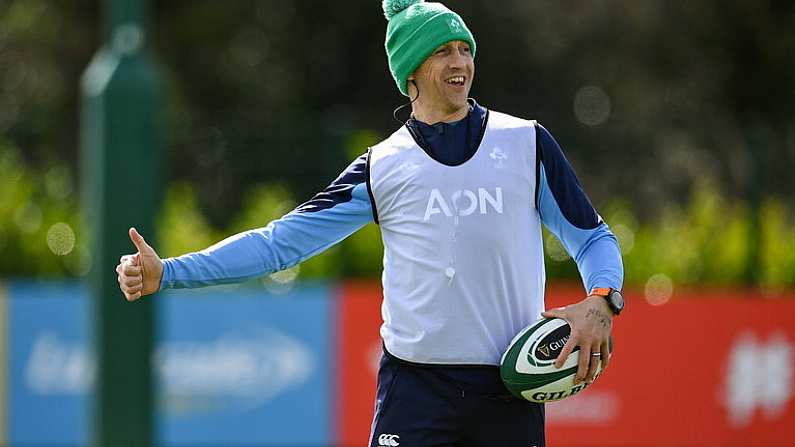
(139,274)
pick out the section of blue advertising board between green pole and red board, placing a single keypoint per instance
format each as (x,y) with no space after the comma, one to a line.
(240,369)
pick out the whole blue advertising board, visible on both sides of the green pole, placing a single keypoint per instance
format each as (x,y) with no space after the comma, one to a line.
(235,366)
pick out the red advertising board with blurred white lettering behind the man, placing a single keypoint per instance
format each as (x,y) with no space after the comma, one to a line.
(704,369)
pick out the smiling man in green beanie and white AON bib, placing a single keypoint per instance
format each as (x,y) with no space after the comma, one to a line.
(459,193)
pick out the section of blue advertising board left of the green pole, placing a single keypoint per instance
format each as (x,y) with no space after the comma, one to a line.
(50,371)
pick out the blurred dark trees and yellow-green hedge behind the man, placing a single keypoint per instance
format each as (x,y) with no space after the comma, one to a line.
(677,116)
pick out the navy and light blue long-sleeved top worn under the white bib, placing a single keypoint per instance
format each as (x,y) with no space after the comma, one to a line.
(346,205)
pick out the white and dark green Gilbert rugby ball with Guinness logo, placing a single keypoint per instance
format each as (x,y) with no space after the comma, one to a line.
(527,367)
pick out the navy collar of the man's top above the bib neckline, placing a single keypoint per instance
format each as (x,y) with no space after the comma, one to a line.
(453,143)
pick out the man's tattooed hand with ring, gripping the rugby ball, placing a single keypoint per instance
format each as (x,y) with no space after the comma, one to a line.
(591,322)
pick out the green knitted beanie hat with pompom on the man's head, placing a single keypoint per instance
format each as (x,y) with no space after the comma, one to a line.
(415,29)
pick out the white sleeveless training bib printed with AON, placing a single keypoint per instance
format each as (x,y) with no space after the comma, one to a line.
(463,254)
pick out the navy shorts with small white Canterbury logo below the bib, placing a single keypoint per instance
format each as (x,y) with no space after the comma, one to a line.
(434,406)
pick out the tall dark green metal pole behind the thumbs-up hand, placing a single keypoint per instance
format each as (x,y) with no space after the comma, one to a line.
(120,152)
